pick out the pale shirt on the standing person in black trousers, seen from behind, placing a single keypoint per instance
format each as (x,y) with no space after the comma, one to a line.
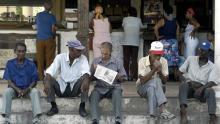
(131,27)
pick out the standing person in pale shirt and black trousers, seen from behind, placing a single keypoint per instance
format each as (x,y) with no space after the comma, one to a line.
(131,25)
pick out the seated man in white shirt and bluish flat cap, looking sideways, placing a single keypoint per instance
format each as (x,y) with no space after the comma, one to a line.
(68,76)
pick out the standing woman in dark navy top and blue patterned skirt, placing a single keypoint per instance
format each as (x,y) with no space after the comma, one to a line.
(167,31)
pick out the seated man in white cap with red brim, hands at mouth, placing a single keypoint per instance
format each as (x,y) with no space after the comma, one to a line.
(152,72)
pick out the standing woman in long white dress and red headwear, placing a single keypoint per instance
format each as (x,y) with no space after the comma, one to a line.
(191,41)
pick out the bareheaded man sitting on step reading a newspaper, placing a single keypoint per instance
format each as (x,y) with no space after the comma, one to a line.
(103,89)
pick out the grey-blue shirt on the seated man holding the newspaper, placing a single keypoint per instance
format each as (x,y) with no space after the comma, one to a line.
(113,64)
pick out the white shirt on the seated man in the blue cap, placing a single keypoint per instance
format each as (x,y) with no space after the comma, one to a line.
(204,74)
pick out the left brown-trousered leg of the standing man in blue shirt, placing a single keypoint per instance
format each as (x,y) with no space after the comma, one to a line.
(40,58)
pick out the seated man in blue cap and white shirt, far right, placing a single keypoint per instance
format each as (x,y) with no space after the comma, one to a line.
(198,76)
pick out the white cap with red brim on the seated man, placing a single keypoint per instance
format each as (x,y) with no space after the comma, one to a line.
(156,48)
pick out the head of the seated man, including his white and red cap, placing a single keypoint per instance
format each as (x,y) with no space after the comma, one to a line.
(156,51)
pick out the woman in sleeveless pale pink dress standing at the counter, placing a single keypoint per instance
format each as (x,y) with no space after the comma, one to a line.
(101,27)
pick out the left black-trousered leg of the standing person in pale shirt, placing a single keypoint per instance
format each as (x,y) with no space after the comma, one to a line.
(126,57)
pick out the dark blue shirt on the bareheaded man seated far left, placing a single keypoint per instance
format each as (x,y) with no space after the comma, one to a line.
(21,75)
